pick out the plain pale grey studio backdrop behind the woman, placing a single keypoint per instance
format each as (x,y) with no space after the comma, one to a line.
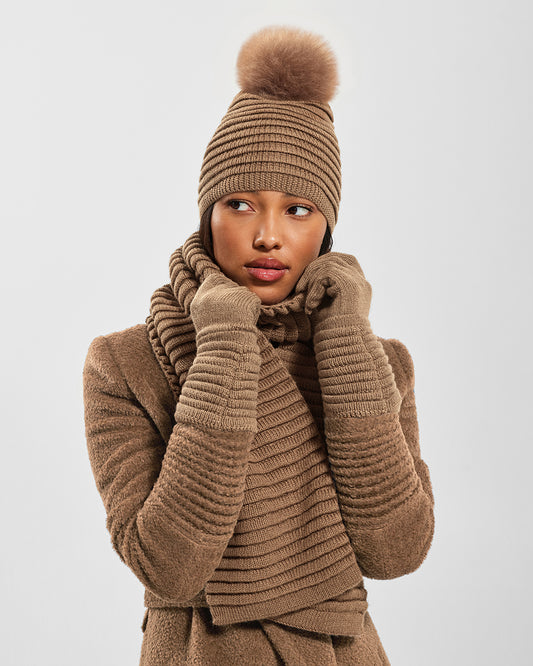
(106,110)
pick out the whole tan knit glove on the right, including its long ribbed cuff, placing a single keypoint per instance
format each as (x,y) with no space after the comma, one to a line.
(355,376)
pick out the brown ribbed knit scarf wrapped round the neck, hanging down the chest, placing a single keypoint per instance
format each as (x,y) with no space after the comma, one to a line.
(289,559)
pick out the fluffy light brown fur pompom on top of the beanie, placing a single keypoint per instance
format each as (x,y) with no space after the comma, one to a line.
(288,64)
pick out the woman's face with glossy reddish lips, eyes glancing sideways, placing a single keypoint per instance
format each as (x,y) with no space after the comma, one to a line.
(249,226)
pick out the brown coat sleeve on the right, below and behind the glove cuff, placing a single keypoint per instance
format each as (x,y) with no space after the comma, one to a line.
(383,484)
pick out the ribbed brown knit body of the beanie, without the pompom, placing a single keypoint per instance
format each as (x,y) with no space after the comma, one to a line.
(272,144)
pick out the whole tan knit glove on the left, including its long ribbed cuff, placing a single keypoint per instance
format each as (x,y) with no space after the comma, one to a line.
(221,388)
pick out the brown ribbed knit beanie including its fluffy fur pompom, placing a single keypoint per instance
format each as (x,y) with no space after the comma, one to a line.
(278,131)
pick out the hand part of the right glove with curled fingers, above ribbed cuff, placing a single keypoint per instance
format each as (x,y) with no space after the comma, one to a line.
(337,279)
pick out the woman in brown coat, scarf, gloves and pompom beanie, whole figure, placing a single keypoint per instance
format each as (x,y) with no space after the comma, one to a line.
(254,443)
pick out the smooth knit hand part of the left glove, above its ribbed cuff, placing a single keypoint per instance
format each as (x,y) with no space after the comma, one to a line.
(220,300)
